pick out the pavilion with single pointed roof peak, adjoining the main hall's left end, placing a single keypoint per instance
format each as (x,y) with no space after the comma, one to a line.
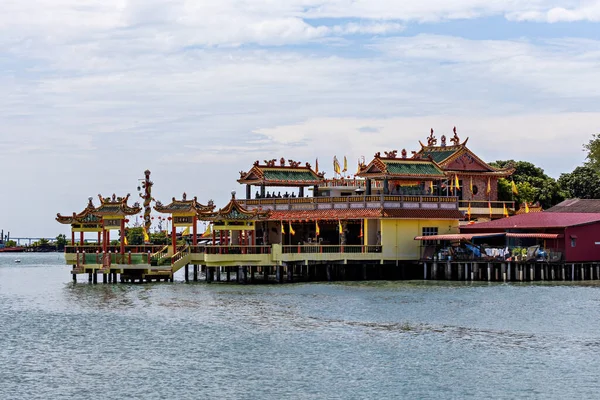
(235,218)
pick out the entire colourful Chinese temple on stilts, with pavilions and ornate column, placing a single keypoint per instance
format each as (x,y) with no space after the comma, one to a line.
(366,221)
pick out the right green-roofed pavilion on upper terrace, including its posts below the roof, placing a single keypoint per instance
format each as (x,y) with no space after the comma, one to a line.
(402,175)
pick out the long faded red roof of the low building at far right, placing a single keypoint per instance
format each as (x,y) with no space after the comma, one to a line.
(535,221)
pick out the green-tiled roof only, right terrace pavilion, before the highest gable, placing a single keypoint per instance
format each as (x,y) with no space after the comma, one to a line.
(401,168)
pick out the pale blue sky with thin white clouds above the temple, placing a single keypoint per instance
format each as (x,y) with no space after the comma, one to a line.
(94,93)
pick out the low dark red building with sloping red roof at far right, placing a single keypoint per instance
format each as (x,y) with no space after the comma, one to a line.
(576,235)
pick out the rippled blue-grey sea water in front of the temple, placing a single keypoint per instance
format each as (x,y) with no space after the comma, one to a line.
(353,340)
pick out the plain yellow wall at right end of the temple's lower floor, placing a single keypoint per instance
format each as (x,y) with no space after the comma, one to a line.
(397,236)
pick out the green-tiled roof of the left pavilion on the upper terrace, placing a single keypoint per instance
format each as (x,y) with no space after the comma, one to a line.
(270,174)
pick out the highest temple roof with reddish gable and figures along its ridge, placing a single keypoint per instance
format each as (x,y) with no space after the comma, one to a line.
(457,157)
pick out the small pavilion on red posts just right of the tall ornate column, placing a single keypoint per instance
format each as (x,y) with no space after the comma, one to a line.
(184,213)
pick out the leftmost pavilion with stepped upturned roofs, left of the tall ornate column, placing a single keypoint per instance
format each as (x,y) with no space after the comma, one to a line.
(109,215)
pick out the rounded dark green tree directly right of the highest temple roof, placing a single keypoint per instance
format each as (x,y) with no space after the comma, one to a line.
(532,184)
